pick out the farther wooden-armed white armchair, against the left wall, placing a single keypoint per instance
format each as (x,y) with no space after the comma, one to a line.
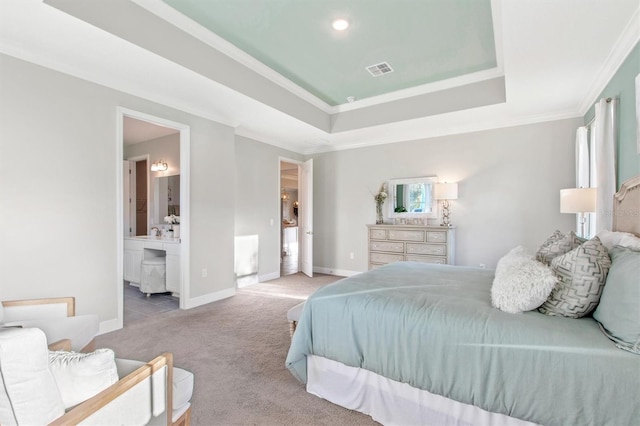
(56,317)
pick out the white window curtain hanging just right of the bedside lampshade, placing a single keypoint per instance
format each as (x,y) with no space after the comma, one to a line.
(605,128)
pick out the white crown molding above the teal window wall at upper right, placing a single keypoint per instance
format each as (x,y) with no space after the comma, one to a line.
(621,49)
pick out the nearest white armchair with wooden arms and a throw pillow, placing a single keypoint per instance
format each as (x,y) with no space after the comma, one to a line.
(35,390)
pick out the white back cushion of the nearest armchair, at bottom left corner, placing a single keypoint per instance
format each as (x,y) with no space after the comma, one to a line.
(28,391)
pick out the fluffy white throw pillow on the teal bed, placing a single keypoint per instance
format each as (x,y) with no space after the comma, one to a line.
(521,283)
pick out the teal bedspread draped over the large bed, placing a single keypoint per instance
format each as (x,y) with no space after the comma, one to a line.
(433,327)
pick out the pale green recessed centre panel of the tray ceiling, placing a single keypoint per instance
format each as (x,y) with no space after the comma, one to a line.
(422,41)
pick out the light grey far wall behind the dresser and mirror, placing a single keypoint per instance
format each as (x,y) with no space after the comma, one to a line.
(509,182)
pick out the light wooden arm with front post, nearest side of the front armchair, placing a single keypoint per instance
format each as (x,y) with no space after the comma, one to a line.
(87,408)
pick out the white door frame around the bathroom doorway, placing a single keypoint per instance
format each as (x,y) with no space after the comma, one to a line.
(185,160)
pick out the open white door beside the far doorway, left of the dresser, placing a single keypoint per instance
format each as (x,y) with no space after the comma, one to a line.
(306,218)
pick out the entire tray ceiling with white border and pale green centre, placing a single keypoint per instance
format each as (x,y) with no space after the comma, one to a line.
(277,72)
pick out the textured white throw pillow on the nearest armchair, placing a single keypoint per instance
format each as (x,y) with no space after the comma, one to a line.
(80,376)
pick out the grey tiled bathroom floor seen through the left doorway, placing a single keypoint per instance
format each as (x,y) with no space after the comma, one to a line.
(137,306)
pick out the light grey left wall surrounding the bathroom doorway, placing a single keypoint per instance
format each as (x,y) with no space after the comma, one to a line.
(58,190)
